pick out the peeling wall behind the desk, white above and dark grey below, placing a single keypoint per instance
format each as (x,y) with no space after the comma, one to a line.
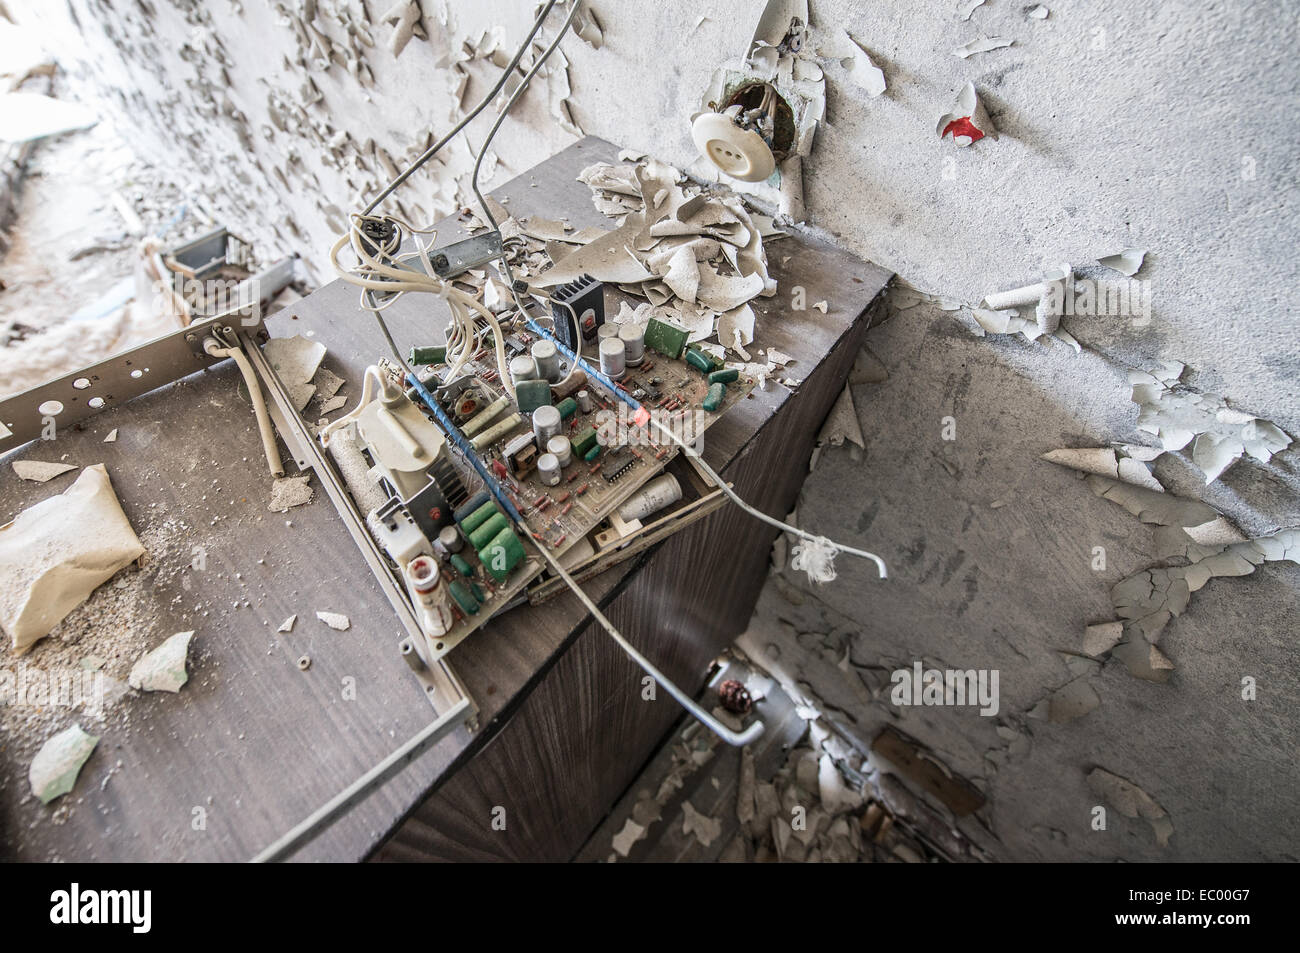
(1163,125)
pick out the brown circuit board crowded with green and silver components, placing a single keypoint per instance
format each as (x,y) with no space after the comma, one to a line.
(593,486)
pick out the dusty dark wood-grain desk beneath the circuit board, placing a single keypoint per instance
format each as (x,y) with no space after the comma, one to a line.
(255,744)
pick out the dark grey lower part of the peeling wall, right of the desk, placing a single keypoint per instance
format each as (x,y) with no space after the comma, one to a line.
(991,555)
